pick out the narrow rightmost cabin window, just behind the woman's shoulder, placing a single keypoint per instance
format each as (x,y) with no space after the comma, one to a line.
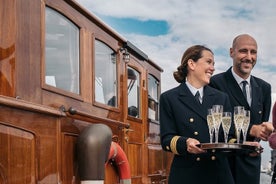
(153,86)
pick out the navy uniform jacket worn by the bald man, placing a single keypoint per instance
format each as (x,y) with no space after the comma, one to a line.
(246,169)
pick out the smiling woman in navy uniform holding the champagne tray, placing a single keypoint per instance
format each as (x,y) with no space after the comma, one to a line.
(183,123)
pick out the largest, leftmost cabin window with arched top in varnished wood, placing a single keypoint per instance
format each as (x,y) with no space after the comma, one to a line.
(61,52)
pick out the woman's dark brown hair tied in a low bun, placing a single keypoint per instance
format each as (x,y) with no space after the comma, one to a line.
(194,53)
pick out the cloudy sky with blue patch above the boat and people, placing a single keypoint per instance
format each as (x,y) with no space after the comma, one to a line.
(164,29)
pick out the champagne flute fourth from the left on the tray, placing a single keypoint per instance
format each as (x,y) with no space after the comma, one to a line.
(238,120)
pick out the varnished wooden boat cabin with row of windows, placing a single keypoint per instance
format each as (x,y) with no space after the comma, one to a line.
(64,74)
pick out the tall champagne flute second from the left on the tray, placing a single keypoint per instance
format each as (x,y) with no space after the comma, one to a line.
(217,116)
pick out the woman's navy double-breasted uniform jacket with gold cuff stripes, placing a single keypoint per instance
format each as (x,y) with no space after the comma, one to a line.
(181,115)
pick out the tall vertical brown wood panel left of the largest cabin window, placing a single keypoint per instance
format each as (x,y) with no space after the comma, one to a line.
(28,50)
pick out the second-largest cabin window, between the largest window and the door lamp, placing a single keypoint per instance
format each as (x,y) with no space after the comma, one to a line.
(105,74)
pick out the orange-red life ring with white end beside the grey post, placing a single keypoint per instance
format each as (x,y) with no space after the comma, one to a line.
(118,155)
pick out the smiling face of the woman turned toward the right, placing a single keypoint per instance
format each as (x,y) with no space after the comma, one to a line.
(203,69)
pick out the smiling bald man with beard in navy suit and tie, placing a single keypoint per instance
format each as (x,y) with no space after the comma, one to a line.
(254,95)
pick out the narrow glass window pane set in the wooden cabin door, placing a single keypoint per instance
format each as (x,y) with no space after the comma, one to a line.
(133,92)
